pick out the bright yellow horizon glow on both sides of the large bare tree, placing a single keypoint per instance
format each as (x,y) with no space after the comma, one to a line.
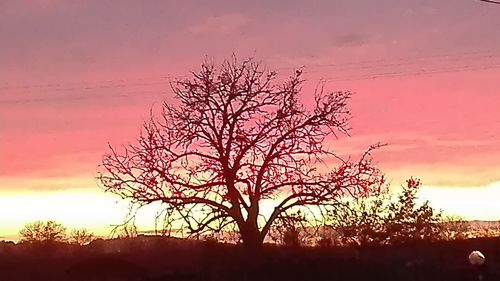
(98,211)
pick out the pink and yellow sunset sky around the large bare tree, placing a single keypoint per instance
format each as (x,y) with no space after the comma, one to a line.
(77,75)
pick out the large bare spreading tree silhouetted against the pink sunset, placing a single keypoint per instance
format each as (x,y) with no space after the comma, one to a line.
(236,138)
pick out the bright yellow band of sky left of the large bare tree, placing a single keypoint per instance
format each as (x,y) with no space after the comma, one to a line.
(72,208)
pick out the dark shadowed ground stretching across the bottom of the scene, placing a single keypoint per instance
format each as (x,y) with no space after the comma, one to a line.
(155,258)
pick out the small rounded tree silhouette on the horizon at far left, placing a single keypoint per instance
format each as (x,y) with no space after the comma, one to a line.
(43,231)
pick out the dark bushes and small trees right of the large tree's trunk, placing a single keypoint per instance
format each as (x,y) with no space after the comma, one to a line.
(382,219)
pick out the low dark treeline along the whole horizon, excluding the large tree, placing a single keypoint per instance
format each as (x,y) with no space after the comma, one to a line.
(382,219)
